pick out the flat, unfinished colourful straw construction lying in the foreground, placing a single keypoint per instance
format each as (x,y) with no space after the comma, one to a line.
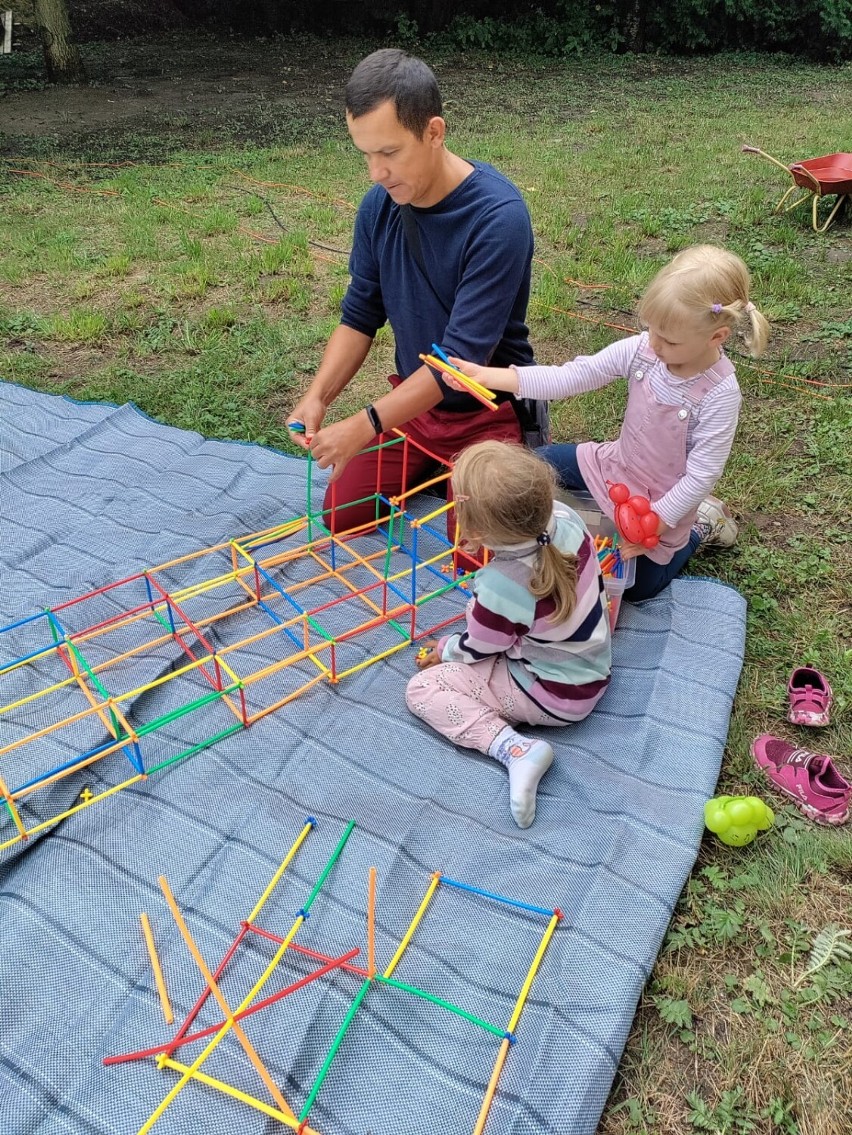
(373,985)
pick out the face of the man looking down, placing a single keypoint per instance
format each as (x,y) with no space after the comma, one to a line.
(397,159)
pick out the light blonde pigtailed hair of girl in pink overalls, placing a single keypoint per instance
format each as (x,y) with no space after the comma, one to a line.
(708,288)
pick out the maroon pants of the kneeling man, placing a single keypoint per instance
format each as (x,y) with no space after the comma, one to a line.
(441,433)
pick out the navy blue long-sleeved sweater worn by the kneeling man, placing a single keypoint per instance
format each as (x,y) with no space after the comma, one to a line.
(477,249)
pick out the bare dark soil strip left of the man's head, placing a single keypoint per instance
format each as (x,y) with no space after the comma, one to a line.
(179,93)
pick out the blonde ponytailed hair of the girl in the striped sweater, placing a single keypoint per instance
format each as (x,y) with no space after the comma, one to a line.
(505,495)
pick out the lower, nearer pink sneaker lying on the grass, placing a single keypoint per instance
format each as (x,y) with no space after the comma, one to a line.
(809,779)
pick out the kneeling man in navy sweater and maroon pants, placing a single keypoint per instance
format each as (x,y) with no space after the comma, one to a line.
(454,272)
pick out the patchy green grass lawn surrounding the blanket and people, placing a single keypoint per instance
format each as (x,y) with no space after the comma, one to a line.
(179,289)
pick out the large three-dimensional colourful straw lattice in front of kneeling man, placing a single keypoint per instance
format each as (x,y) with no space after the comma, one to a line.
(323,607)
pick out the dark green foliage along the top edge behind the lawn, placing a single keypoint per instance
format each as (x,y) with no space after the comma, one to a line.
(813,29)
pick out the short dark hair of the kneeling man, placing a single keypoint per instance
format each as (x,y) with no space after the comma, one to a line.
(393,75)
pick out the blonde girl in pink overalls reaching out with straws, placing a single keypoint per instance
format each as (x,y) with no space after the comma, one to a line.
(684,403)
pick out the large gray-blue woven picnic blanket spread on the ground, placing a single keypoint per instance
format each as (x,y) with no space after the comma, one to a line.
(92,494)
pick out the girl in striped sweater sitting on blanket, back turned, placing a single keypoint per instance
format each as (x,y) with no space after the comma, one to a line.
(537,645)
